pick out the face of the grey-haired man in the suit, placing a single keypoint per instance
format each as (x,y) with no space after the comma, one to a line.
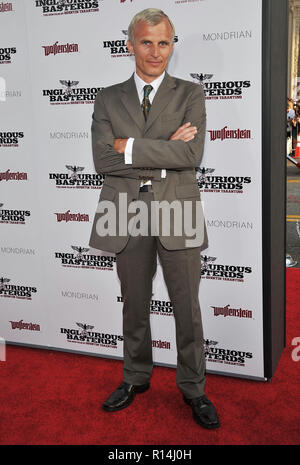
(152,48)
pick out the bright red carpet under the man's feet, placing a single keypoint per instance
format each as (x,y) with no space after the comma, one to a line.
(50,397)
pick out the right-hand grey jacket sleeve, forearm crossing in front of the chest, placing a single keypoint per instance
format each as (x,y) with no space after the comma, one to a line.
(175,154)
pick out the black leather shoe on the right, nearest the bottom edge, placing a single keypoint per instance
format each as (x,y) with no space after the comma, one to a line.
(204,413)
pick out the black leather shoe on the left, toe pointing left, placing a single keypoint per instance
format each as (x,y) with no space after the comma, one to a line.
(123,396)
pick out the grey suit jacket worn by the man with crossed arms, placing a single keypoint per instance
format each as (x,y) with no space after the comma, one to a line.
(118,114)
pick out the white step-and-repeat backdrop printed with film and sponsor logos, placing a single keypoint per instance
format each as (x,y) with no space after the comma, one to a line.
(55,291)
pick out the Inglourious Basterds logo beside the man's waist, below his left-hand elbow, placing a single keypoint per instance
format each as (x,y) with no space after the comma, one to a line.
(75,179)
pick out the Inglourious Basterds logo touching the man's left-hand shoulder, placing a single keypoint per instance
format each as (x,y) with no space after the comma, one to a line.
(70,94)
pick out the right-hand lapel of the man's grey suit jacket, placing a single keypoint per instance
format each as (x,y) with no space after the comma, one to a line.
(163,96)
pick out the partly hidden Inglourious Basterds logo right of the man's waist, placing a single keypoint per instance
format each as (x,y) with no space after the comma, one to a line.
(208,182)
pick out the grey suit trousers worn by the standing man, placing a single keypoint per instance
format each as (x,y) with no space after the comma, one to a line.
(136,267)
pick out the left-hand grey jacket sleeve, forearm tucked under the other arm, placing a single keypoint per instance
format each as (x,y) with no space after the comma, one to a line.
(106,159)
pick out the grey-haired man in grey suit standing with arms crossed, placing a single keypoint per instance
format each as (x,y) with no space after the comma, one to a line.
(148,136)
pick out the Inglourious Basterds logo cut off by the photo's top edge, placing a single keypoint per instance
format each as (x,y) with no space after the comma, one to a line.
(67,7)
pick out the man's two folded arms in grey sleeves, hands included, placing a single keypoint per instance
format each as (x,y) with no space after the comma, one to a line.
(183,150)
